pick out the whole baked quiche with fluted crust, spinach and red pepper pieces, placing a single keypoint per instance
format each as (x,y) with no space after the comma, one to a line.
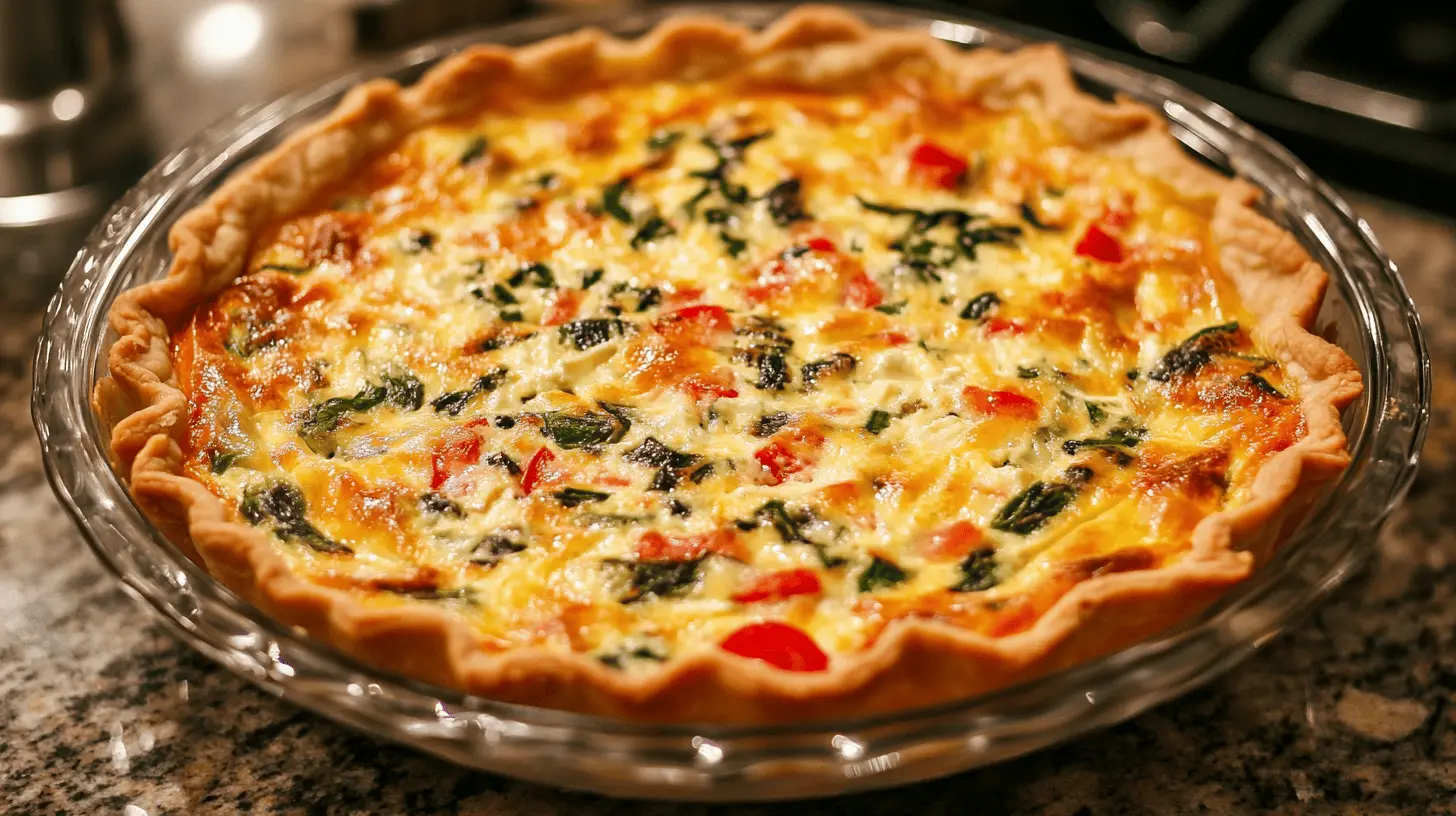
(730,375)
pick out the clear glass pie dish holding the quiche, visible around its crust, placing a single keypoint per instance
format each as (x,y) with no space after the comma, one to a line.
(1366,313)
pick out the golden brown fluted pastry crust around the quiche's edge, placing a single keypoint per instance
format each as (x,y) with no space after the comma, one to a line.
(915,662)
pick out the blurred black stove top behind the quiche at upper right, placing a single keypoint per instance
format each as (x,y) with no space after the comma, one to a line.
(1364,91)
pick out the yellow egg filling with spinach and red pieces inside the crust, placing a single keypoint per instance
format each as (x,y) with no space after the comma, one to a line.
(697,366)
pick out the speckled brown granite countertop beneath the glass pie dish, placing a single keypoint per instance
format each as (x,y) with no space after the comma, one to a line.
(1353,713)
